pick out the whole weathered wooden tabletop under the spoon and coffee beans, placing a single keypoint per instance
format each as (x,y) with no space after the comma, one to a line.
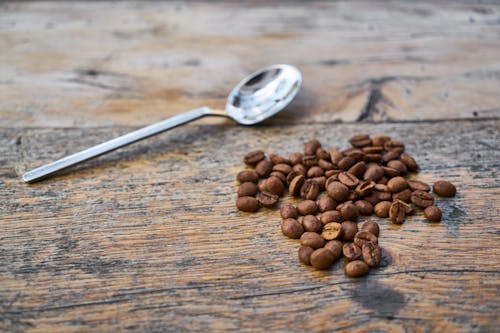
(147,239)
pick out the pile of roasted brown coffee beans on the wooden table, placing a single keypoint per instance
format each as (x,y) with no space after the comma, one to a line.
(336,187)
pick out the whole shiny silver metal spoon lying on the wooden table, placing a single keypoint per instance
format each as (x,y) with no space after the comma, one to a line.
(256,98)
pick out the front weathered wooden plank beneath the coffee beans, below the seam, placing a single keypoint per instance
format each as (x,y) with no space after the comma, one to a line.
(148,238)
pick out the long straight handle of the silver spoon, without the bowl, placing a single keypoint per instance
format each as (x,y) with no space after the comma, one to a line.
(142,133)
